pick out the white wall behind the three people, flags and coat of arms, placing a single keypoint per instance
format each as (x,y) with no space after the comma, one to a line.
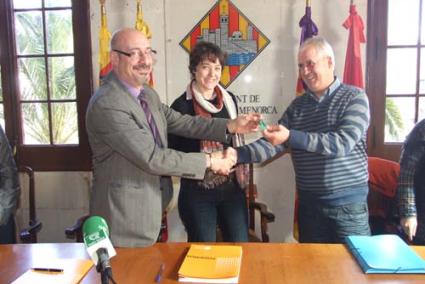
(274,76)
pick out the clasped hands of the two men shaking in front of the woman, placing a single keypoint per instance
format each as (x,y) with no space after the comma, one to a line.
(222,162)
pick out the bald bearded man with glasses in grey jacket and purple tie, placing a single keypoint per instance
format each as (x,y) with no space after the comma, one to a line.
(131,169)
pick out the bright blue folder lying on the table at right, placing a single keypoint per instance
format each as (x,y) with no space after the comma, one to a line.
(385,254)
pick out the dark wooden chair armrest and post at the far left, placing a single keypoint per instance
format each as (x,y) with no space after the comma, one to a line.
(29,234)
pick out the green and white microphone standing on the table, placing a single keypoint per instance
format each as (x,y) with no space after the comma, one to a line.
(99,247)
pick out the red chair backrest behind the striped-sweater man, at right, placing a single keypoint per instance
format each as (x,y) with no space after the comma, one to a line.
(383,178)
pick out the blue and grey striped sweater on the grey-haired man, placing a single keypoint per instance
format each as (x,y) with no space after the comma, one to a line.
(328,144)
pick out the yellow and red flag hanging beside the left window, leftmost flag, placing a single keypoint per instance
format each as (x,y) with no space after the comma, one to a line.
(104,39)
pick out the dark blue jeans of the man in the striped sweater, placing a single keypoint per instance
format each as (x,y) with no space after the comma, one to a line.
(326,224)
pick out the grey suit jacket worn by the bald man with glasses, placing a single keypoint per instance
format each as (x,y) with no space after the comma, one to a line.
(128,190)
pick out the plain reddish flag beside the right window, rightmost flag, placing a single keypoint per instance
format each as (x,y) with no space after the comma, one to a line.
(353,74)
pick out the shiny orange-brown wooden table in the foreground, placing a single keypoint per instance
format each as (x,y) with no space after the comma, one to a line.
(261,263)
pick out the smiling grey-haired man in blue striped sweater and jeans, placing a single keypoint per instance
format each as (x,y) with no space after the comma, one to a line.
(325,129)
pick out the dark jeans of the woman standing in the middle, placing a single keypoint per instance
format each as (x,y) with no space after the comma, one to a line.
(202,210)
